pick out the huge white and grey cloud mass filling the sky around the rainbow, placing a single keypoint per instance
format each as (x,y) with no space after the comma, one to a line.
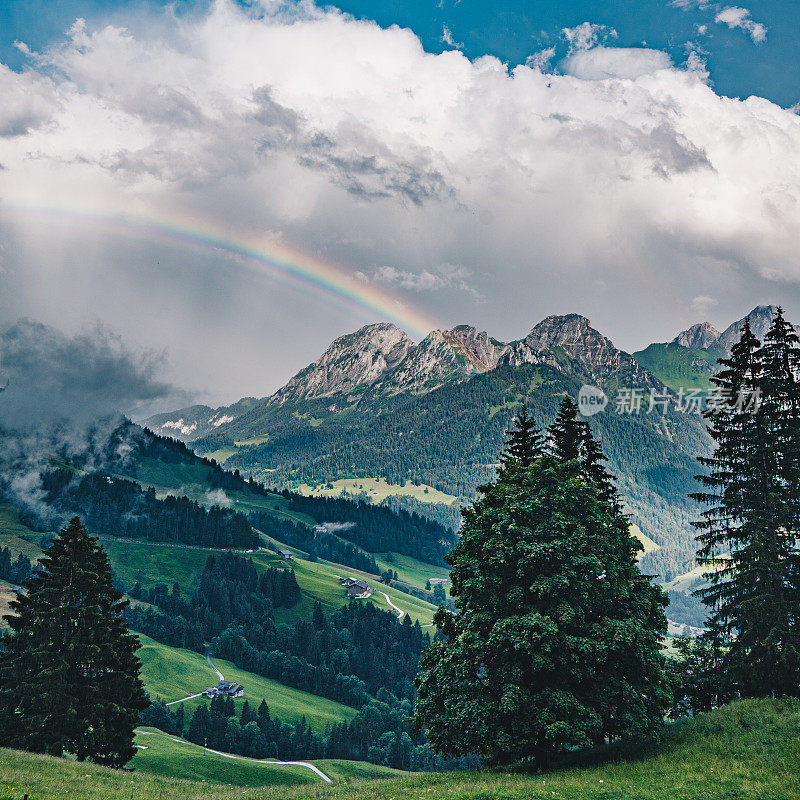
(625,175)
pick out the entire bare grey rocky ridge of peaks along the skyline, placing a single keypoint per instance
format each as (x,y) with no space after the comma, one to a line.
(380,360)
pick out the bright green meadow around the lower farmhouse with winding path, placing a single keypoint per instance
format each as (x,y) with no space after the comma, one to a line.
(171,673)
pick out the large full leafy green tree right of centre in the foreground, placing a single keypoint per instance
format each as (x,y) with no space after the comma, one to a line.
(556,643)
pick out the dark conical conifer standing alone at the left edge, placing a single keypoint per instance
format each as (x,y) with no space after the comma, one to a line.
(69,675)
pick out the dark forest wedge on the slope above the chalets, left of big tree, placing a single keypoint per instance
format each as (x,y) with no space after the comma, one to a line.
(379,529)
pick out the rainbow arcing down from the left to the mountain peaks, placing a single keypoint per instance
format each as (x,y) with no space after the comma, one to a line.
(258,255)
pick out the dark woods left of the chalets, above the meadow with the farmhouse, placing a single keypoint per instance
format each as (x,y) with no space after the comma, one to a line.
(230,589)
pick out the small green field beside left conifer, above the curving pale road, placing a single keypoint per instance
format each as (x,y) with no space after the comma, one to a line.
(167,757)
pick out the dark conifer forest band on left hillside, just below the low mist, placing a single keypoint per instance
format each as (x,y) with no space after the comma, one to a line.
(118,507)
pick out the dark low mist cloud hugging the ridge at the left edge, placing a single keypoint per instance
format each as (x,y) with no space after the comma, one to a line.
(48,377)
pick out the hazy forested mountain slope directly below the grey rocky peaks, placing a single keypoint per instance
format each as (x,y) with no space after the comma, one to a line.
(450,439)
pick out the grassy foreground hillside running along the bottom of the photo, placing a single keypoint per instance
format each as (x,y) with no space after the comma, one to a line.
(747,751)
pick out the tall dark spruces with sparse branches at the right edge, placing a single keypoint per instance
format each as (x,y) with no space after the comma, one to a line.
(748,533)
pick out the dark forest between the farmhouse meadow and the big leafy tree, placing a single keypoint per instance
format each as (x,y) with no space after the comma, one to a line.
(348,656)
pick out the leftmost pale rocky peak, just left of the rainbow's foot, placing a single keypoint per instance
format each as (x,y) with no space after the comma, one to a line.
(355,359)
